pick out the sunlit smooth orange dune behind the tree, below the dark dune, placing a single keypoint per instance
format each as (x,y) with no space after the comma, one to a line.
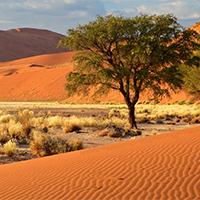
(42,78)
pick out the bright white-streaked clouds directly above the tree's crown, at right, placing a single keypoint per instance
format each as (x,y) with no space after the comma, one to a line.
(187,11)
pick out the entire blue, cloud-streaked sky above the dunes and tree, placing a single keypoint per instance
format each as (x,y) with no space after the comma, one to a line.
(60,15)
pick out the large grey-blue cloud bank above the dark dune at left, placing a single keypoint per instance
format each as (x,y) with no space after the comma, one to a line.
(56,15)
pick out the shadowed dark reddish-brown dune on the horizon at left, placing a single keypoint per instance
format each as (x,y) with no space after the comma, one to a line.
(26,42)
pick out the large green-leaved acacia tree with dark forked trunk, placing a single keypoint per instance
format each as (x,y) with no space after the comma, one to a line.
(130,55)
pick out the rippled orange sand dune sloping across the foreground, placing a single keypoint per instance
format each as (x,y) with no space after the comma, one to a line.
(166,166)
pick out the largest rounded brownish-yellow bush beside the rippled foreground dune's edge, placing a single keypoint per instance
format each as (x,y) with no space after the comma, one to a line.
(46,144)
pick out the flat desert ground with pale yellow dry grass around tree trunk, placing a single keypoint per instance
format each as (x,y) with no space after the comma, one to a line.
(102,120)
